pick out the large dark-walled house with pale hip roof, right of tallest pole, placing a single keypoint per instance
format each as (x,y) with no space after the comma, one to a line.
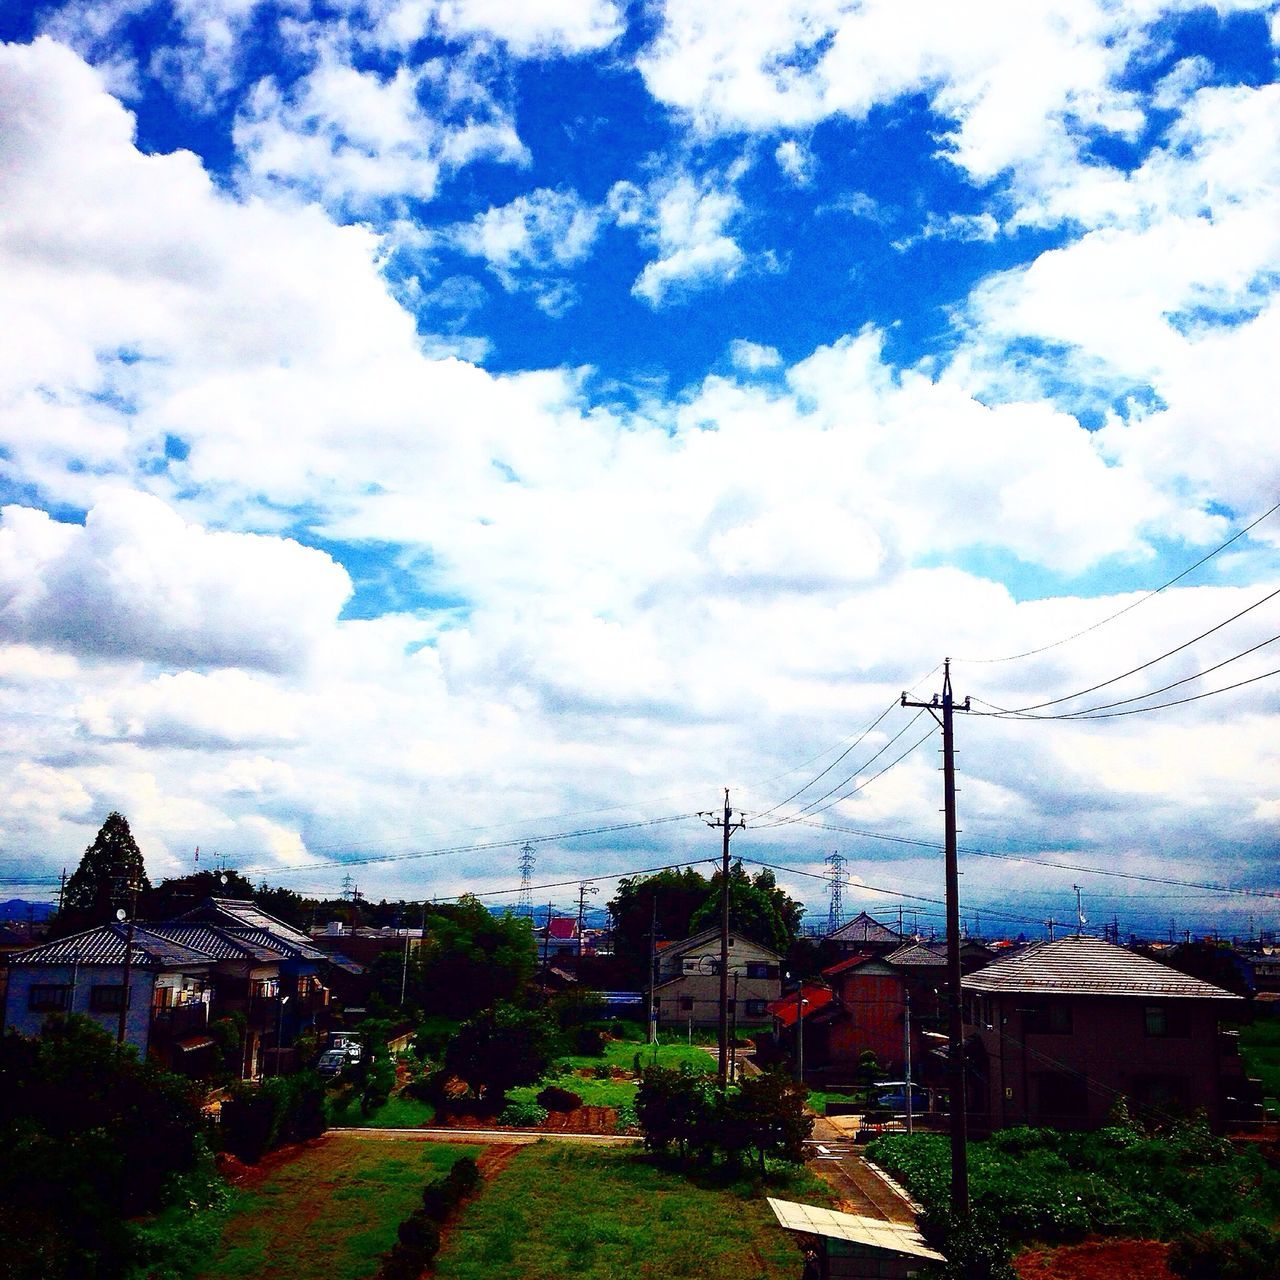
(1063,1030)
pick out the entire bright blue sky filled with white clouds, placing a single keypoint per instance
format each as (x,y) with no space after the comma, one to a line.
(435,426)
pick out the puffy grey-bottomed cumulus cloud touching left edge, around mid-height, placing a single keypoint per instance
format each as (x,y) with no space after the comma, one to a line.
(140,583)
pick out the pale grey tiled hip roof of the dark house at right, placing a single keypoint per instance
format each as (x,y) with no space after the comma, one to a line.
(1090,967)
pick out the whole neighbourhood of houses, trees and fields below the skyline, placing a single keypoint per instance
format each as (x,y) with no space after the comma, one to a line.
(204,1078)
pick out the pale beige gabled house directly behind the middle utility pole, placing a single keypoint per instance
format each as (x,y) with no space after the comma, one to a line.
(687,991)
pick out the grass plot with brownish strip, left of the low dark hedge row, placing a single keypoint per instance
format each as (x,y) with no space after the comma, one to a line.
(328,1213)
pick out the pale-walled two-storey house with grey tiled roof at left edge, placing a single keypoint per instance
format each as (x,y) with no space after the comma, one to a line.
(170,988)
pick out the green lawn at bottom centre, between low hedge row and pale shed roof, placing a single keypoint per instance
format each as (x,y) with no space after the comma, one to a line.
(598,1214)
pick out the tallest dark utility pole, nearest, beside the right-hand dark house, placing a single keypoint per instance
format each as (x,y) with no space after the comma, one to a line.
(956,1027)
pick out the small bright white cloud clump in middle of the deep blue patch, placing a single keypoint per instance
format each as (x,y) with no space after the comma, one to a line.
(685,222)
